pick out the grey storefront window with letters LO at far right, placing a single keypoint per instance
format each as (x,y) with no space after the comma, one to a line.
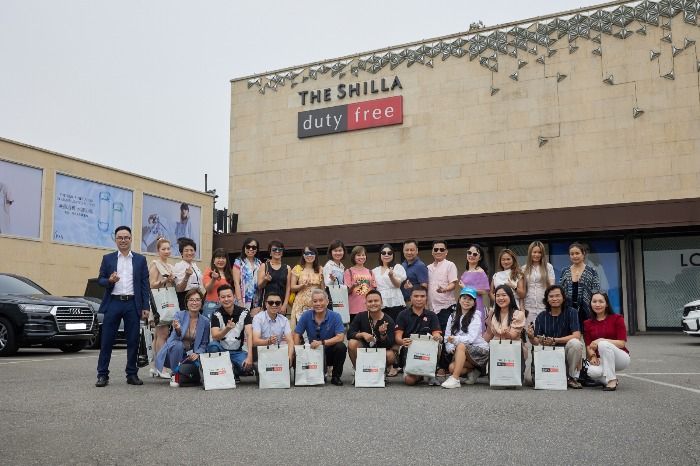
(671,278)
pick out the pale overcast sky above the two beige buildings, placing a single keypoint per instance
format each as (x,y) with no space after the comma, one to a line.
(144,86)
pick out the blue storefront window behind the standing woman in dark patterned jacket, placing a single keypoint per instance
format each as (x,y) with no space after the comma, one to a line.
(604,257)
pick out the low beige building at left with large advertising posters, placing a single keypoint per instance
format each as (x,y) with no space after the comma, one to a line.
(58,215)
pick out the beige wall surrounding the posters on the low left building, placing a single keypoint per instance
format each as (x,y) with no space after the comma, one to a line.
(64,269)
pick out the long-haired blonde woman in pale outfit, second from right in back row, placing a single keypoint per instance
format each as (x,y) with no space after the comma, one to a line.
(538,274)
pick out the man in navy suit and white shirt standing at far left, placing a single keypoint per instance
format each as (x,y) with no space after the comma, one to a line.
(124,275)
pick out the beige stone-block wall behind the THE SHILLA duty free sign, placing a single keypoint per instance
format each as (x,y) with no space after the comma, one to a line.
(462,151)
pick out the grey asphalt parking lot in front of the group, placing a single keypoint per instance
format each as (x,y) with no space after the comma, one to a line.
(51,413)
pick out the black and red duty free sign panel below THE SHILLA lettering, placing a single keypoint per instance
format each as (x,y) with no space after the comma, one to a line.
(351,117)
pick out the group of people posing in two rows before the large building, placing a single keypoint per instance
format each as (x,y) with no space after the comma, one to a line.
(239,307)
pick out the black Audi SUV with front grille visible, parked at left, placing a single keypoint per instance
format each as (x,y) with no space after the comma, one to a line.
(29,315)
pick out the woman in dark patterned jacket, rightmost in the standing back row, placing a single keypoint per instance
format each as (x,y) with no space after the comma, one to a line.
(579,281)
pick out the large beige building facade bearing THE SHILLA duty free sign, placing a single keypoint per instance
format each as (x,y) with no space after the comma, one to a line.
(583,125)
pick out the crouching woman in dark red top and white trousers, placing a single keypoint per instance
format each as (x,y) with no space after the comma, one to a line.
(606,338)
